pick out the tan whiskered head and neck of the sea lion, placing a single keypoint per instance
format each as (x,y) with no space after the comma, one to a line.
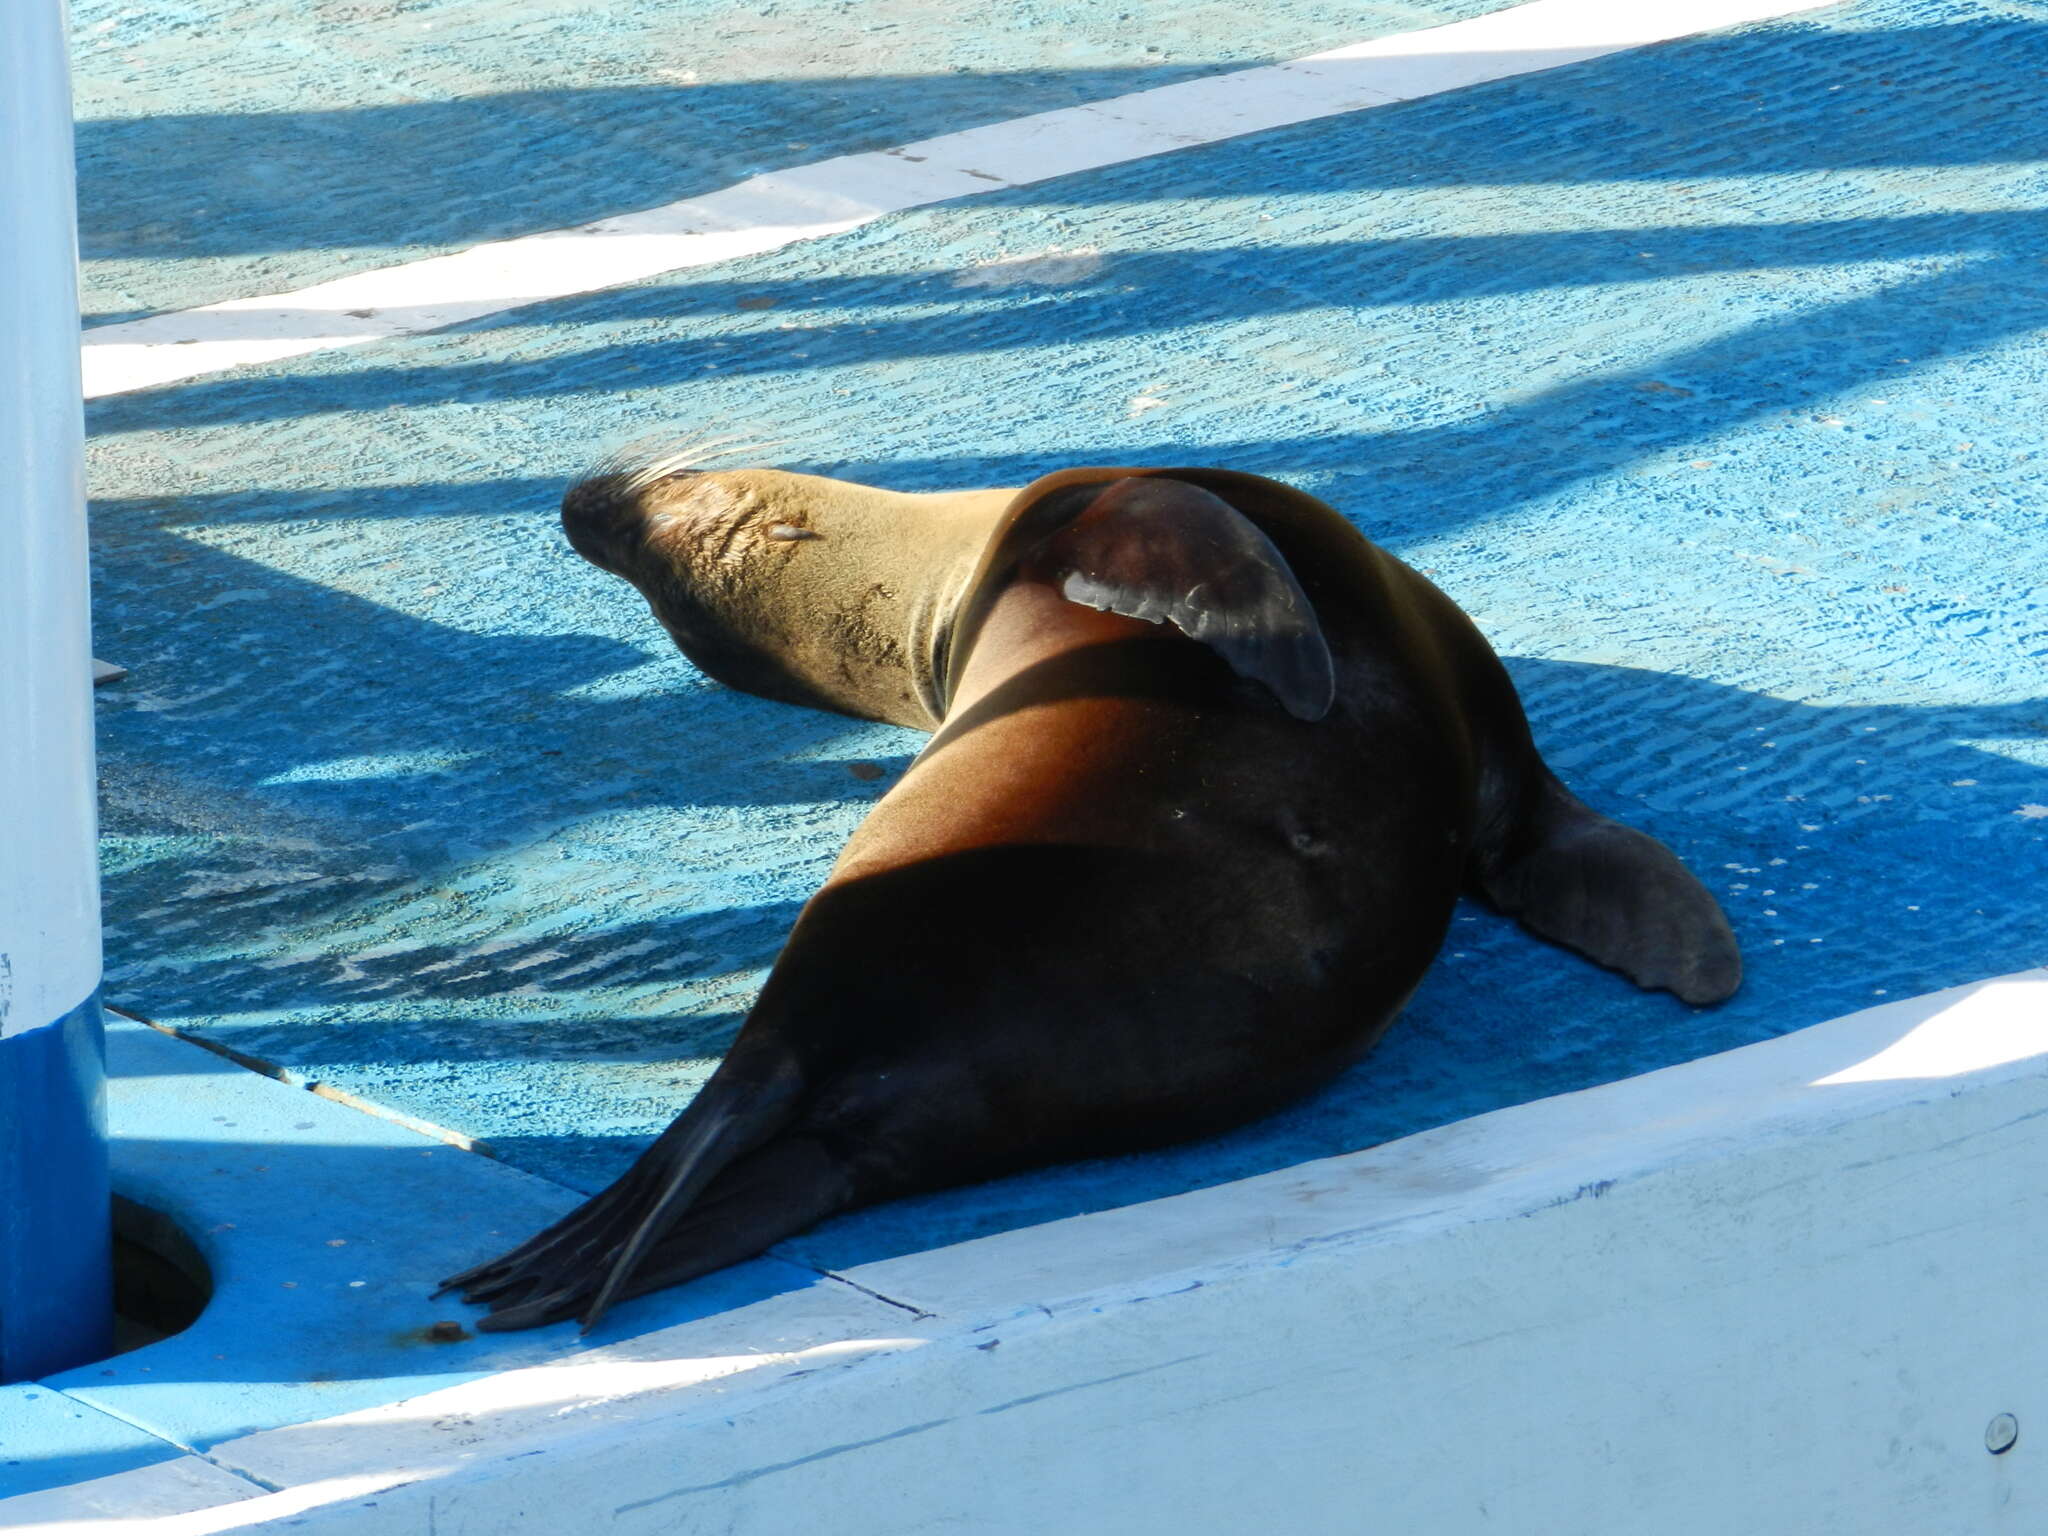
(794,587)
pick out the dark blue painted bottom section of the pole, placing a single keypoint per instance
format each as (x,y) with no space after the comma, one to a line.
(56,1261)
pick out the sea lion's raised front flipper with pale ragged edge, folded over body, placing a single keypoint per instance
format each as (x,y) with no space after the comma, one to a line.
(1168,552)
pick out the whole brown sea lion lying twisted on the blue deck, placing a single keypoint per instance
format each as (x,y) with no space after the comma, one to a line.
(1209,773)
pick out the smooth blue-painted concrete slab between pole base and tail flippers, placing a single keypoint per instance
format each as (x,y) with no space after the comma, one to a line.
(327,1232)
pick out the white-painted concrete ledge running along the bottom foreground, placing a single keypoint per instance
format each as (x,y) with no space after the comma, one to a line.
(1785,1289)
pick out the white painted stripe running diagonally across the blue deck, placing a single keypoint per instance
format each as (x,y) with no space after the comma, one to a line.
(833,196)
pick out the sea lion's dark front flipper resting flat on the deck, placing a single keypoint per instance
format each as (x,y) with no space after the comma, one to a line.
(1613,894)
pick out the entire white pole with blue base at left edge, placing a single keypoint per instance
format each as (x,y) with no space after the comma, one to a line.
(54,1240)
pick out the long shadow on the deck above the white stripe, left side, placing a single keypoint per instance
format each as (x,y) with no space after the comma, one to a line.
(400,179)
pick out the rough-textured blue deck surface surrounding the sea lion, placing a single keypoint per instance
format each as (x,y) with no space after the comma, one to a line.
(1707,378)
